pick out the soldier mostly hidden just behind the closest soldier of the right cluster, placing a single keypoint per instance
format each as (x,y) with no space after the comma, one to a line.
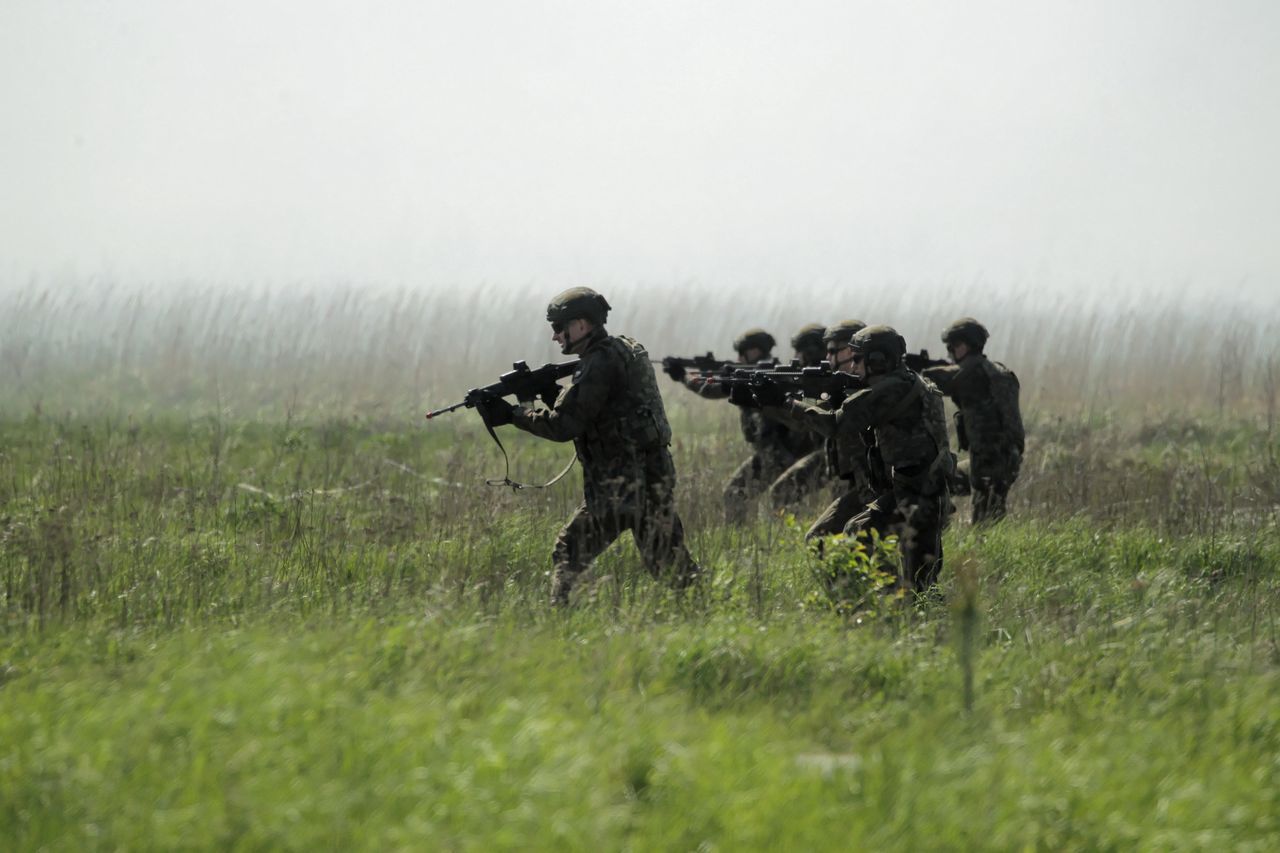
(843,459)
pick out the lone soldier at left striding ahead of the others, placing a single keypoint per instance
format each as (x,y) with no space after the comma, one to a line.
(614,414)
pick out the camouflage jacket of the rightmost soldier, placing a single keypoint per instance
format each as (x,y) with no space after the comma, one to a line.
(989,422)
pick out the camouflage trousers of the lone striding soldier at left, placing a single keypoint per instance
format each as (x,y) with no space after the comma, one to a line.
(634,495)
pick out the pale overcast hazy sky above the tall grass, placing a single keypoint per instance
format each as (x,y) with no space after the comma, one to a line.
(537,143)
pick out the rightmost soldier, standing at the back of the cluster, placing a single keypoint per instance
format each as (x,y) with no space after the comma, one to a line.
(989,421)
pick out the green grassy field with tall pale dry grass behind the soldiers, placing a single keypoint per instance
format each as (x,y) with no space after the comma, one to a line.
(235,618)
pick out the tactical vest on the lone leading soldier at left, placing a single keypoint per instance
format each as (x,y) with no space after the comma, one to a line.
(636,419)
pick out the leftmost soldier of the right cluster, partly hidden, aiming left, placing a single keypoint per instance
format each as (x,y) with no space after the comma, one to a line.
(775,448)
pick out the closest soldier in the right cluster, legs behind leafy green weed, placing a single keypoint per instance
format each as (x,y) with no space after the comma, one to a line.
(906,416)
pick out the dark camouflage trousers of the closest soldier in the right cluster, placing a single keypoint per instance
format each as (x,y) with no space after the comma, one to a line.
(917,521)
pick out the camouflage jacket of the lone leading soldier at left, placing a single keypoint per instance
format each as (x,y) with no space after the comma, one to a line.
(611,410)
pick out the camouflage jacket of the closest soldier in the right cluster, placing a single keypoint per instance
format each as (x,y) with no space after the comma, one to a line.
(906,417)
